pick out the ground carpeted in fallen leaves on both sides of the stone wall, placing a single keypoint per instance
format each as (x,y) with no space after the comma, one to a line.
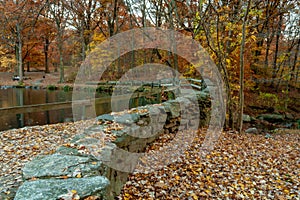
(242,166)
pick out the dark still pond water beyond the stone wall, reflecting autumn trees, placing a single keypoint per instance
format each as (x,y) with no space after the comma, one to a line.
(11,97)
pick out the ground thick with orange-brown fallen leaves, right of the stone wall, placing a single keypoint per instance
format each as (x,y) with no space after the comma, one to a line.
(242,166)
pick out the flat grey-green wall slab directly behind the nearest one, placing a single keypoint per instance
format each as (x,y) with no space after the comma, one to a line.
(57,165)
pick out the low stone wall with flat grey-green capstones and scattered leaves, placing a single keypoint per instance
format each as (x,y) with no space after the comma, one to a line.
(87,165)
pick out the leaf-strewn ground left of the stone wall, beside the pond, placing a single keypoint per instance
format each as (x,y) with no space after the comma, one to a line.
(18,146)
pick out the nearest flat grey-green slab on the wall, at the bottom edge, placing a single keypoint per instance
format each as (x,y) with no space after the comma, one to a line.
(52,189)
